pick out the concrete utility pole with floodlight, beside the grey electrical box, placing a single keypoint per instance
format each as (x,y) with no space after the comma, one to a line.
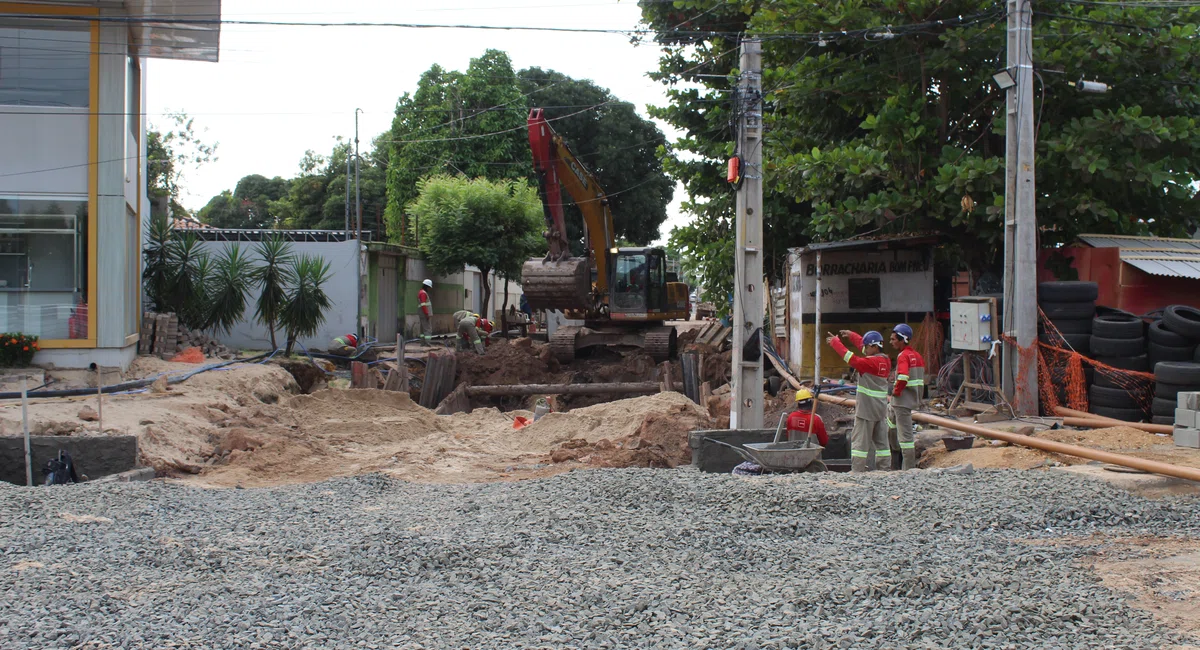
(1021,221)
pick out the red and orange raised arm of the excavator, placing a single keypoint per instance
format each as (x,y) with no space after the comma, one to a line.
(557,168)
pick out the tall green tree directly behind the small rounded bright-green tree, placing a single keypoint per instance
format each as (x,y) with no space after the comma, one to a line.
(457,123)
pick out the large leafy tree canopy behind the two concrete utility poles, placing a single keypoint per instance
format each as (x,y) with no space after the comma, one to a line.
(868,134)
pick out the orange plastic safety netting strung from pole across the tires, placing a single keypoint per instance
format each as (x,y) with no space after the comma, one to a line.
(1063,380)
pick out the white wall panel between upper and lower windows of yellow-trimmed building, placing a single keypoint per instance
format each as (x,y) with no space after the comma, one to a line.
(56,141)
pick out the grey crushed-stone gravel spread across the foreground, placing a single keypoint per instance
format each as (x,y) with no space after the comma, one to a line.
(590,559)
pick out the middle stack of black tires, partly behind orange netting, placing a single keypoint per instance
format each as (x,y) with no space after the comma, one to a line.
(1118,341)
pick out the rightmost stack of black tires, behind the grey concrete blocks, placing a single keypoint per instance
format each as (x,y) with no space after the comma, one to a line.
(1173,351)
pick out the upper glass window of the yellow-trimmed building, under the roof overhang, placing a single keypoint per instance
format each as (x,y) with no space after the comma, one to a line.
(45,63)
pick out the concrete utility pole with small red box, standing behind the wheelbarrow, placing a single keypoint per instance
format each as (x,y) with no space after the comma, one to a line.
(746,410)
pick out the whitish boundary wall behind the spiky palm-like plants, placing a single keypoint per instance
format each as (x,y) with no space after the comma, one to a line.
(343,291)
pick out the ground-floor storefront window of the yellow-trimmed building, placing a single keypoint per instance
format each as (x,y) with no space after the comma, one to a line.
(44,248)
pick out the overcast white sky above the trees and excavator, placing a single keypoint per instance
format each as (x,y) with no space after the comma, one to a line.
(281,91)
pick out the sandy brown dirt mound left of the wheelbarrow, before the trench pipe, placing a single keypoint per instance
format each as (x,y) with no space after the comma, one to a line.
(650,432)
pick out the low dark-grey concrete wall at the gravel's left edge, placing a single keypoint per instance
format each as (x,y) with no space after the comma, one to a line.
(93,456)
